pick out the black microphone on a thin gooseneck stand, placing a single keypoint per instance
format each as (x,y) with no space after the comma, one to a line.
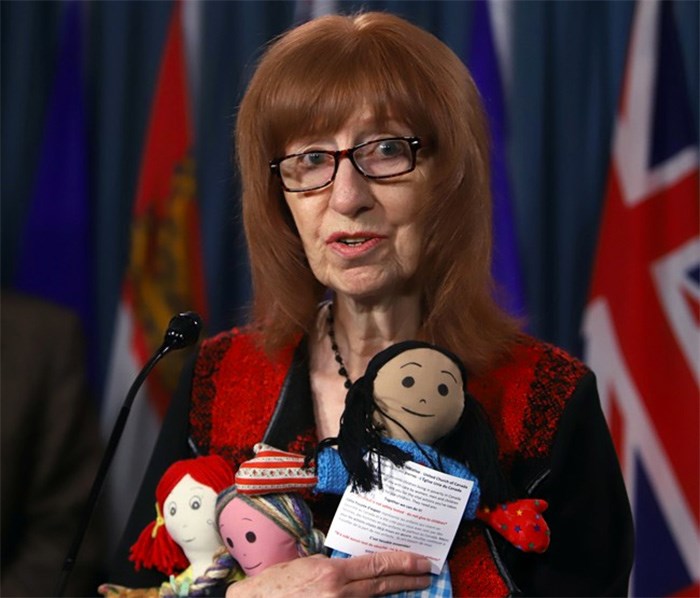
(183,331)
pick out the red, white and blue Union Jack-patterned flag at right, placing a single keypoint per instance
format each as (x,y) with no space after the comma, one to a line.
(642,322)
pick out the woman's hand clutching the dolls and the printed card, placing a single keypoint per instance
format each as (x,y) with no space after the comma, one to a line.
(319,576)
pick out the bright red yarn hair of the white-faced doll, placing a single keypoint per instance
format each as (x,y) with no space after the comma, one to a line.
(155,548)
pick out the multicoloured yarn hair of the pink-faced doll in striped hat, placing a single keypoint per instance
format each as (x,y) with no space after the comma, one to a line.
(288,510)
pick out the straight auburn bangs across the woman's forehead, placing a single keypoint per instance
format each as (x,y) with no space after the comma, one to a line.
(318,93)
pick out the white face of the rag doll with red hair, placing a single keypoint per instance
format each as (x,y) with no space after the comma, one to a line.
(189,512)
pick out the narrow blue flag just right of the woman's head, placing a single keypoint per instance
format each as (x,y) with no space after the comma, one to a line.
(484,67)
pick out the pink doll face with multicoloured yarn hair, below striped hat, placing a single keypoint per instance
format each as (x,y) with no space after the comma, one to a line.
(262,530)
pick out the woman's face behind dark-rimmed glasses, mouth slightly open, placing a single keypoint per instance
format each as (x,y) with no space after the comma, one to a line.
(362,237)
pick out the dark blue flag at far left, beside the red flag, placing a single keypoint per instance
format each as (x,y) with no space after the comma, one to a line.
(54,257)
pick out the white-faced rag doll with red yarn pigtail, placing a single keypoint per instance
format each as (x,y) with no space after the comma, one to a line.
(183,541)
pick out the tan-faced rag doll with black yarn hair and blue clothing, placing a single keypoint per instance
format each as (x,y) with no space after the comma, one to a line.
(412,404)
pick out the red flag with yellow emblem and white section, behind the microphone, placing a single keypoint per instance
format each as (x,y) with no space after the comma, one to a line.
(163,276)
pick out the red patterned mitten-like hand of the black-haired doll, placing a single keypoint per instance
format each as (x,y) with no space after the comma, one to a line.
(520,522)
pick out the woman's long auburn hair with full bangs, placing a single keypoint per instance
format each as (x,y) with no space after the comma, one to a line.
(310,81)
